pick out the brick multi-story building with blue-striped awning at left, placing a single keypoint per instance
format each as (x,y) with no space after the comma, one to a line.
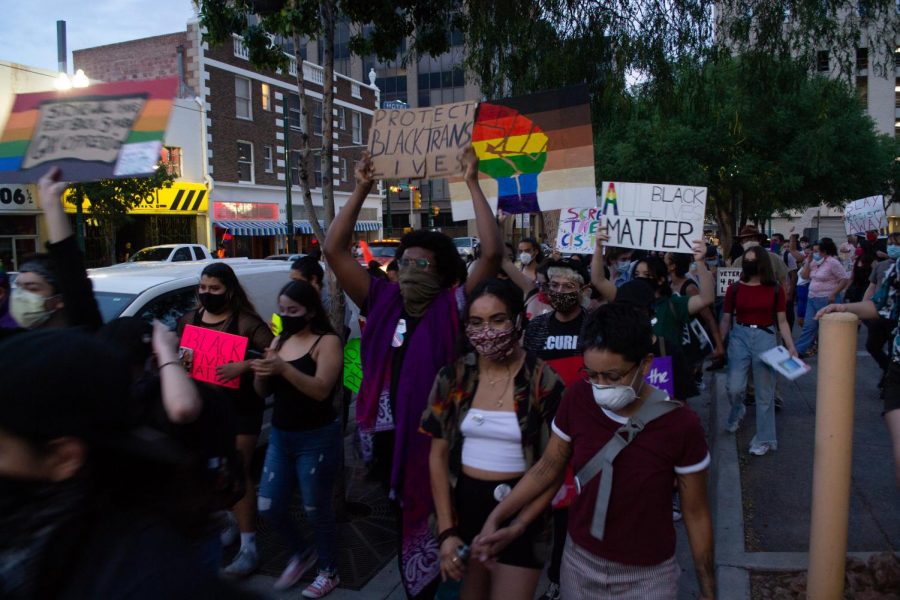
(242,126)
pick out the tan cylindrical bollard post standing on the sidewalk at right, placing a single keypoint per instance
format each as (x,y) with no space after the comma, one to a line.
(833,456)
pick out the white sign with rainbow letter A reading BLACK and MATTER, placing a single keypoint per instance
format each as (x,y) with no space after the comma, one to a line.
(647,216)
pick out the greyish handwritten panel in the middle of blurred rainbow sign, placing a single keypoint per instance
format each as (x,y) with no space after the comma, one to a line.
(83,128)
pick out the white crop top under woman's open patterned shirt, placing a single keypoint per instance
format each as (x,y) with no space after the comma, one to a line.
(492,441)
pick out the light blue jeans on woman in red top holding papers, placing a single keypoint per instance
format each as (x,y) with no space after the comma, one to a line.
(745,344)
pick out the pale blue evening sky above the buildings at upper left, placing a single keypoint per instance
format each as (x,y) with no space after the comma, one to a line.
(28,28)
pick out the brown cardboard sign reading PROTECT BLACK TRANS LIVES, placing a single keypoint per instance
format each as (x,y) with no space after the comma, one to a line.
(420,143)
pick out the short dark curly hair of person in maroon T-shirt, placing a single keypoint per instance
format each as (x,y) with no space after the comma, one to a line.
(618,328)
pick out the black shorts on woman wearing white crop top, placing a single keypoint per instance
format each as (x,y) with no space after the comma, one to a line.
(474,502)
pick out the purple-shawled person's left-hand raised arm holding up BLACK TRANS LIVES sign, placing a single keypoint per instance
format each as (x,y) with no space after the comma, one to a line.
(350,274)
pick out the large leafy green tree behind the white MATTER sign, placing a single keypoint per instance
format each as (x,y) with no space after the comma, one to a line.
(762,147)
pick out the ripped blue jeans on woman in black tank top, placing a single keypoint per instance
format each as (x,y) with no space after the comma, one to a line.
(310,458)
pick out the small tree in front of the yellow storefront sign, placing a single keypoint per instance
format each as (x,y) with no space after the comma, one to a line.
(110,200)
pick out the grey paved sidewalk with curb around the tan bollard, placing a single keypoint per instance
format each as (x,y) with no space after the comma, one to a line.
(763,504)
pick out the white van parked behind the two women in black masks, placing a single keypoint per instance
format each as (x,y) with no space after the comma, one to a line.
(165,291)
